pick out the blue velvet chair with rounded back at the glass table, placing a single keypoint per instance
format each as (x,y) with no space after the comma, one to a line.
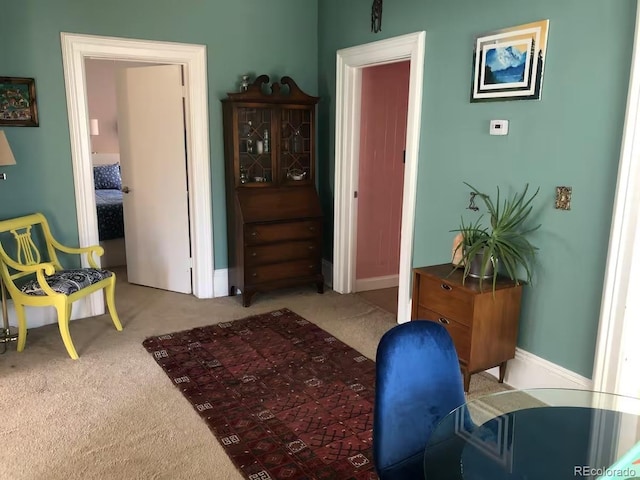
(418,382)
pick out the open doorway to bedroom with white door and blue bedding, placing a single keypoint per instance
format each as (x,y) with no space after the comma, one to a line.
(141,192)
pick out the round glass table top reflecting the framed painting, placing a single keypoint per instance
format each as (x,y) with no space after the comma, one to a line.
(536,434)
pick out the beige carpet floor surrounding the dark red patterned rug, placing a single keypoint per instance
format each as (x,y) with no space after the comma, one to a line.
(114,414)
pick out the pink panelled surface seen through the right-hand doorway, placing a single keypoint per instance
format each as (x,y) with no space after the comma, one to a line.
(383,128)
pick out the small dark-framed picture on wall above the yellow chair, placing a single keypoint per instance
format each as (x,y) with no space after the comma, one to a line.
(18,106)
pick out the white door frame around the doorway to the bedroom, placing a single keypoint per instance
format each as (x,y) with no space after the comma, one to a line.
(75,49)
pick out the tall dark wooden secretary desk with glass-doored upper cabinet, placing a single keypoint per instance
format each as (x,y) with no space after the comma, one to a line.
(274,218)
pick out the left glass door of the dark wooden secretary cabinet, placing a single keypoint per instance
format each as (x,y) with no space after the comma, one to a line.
(254,146)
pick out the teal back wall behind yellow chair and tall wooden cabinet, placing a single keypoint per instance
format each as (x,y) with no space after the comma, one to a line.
(242,36)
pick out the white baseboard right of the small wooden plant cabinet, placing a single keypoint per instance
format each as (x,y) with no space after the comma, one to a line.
(530,371)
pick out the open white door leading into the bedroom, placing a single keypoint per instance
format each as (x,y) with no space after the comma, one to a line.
(154,177)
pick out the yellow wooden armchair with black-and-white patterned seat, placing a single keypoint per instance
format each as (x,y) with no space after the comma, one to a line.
(34,281)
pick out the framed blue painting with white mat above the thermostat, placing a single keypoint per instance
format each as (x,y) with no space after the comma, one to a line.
(508,64)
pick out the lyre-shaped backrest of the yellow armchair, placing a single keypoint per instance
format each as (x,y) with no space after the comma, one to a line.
(17,244)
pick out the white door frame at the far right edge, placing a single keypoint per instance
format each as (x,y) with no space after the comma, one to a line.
(616,360)
